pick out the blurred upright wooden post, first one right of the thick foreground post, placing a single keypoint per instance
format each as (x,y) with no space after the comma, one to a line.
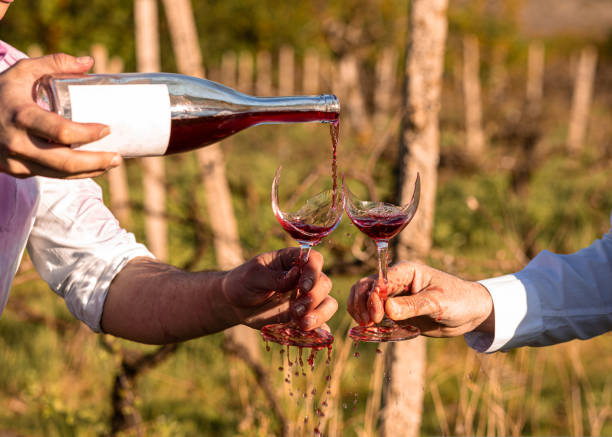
(475,140)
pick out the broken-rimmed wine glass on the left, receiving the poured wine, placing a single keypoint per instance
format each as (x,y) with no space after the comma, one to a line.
(312,222)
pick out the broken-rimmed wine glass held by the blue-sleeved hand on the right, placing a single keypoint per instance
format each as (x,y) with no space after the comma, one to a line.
(381,221)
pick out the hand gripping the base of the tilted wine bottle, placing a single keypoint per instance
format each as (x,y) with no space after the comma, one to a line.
(34,141)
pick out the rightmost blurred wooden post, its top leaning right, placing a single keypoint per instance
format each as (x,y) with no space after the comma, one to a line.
(581,100)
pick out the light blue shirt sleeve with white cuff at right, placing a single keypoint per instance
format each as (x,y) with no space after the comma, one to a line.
(555,298)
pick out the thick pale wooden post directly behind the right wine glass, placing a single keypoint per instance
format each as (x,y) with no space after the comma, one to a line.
(419,152)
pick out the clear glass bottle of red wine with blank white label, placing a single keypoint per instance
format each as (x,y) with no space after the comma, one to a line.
(152,114)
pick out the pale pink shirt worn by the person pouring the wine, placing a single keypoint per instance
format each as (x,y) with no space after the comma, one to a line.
(74,241)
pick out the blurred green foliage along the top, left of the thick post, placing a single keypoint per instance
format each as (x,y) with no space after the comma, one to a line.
(73,26)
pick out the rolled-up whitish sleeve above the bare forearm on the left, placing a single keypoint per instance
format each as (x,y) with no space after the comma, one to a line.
(78,247)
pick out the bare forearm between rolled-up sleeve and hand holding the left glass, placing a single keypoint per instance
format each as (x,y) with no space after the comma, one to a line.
(152,302)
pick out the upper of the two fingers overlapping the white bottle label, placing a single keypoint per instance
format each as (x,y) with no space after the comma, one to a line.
(56,128)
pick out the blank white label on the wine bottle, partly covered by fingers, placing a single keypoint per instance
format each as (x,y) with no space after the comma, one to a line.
(137,114)
